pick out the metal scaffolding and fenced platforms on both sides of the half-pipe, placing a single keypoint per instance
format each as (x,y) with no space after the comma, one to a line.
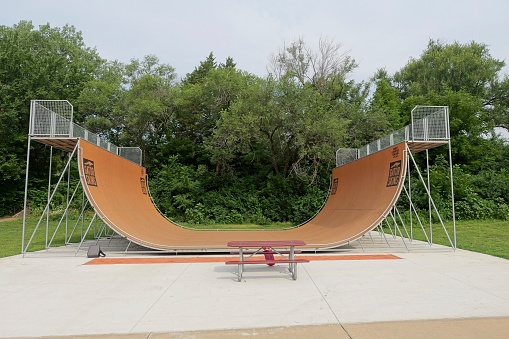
(51,123)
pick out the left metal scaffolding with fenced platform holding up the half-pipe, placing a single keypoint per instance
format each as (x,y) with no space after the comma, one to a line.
(51,123)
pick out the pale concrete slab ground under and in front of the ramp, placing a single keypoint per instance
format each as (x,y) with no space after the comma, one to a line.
(437,293)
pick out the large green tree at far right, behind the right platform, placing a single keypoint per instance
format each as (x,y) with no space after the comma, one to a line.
(466,78)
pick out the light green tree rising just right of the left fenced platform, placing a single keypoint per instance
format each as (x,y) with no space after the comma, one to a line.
(131,104)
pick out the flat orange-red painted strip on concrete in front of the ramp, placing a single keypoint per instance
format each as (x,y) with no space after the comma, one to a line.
(167,260)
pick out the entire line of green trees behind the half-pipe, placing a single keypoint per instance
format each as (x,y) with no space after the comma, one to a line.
(222,145)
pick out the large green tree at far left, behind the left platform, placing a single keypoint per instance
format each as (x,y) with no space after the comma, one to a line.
(44,63)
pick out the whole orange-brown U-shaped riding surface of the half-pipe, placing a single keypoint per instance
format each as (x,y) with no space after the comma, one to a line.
(361,196)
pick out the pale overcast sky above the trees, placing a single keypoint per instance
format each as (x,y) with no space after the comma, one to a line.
(377,34)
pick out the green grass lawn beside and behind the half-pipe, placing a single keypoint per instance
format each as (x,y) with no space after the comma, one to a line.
(483,236)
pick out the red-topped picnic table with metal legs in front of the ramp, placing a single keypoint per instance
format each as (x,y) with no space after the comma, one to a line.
(284,249)
